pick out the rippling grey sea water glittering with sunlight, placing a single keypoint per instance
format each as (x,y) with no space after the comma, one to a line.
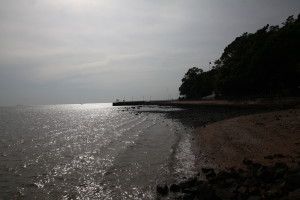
(90,151)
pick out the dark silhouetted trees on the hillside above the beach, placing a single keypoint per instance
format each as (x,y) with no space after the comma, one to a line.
(264,63)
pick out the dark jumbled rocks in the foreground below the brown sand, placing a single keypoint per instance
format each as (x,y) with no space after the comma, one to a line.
(255,182)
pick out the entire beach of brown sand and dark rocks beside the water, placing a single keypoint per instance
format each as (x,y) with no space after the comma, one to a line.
(270,139)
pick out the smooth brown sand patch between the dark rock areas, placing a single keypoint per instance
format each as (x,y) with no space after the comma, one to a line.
(226,143)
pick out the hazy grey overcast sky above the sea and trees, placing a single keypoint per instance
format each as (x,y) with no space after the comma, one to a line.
(80,51)
